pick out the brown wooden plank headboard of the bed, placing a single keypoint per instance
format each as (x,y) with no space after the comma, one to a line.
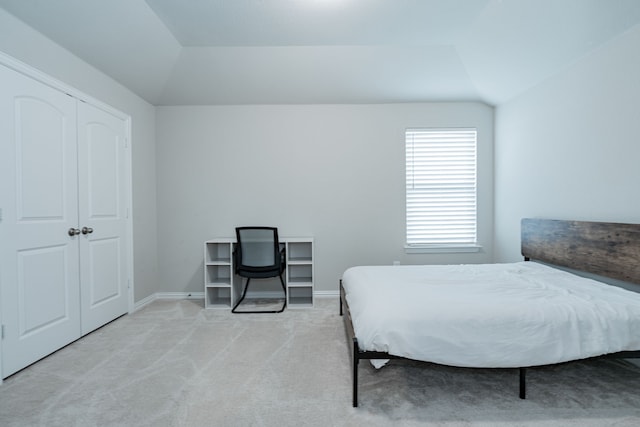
(604,248)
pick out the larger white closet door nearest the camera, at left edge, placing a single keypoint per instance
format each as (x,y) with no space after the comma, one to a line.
(39,277)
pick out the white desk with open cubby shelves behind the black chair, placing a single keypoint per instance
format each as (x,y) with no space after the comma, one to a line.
(222,289)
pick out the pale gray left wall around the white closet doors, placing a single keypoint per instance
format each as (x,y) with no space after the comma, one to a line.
(29,46)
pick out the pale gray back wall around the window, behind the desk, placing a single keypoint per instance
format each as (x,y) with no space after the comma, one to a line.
(334,172)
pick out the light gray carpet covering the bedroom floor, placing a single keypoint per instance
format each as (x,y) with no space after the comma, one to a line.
(175,364)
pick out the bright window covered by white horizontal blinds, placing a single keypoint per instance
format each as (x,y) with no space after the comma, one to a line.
(441,189)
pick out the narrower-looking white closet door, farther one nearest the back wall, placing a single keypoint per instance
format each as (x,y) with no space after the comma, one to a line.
(103,205)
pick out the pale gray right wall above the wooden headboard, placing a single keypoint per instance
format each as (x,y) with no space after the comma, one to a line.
(569,147)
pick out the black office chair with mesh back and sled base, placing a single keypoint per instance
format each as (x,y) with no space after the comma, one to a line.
(258,256)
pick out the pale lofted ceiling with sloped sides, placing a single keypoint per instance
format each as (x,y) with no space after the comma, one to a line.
(207,52)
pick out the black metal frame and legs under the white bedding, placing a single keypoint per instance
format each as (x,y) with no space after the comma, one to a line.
(358,354)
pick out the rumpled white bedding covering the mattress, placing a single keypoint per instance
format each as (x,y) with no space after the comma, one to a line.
(489,315)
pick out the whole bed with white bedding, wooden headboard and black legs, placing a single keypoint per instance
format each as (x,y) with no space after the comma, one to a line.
(517,315)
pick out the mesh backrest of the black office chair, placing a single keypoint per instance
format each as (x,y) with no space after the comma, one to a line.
(258,247)
